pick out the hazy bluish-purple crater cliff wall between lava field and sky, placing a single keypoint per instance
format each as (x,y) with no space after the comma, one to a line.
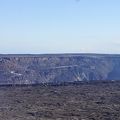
(33,69)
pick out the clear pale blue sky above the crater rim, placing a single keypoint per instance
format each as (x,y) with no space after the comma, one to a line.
(59,26)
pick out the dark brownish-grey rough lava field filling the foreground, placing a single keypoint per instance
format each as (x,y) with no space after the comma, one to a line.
(86,101)
